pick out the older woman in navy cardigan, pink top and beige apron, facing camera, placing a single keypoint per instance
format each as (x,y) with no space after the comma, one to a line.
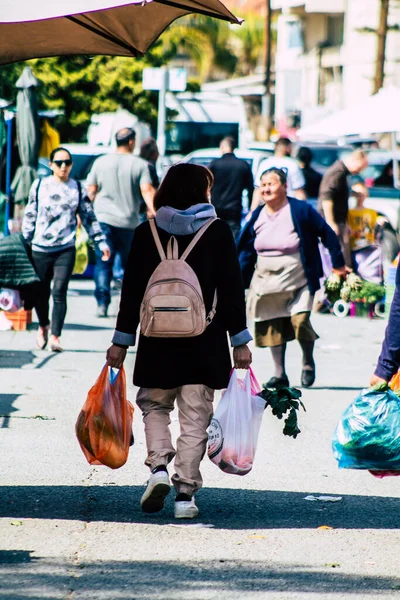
(280,261)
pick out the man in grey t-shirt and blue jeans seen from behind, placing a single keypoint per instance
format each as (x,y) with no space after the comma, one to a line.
(117,183)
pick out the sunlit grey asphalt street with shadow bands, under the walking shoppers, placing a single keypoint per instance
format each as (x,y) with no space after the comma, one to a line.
(74,532)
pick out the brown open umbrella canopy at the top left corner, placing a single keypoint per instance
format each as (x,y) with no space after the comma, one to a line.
(114,27)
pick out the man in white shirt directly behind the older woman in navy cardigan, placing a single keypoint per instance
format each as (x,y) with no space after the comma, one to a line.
(282,160)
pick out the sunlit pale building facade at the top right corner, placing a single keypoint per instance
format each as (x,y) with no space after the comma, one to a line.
(326,55)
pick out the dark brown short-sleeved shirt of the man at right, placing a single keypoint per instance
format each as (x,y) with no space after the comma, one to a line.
(334,187)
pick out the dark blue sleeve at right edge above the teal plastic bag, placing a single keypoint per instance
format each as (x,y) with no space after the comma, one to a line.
(389,360)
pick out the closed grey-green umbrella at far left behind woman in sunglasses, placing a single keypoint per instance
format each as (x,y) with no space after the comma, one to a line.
(27,135)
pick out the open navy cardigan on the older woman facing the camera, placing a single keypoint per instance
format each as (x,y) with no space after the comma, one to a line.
(310,227)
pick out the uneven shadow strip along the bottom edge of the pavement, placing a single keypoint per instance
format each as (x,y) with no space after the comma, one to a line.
(132,580)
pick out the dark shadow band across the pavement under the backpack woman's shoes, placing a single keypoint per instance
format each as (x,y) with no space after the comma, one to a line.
(224,508)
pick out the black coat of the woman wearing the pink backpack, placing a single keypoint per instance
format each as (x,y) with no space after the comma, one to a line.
(205,359)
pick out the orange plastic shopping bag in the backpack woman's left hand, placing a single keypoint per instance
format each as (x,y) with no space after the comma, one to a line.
(104,425)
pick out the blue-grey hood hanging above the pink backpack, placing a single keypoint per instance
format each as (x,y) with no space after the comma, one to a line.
(184,222)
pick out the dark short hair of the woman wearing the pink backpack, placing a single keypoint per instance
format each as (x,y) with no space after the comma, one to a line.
(183,186)
